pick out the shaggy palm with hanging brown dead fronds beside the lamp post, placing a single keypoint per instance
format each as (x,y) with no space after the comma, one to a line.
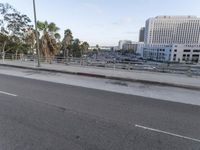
(48,42)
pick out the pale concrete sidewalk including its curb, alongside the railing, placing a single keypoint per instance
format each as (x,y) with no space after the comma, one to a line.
(165,79)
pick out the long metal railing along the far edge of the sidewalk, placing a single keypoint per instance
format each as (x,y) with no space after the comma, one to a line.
(190,70)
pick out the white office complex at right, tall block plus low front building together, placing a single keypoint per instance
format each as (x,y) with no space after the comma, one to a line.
(172,38)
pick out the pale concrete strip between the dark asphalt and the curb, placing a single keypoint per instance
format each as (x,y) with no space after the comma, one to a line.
(159,92)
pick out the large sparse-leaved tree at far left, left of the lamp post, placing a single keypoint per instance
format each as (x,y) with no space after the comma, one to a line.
(12,26)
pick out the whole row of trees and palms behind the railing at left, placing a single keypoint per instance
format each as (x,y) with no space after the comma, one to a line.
(18,36)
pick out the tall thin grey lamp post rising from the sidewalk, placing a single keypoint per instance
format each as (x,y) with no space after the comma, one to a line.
(37,36)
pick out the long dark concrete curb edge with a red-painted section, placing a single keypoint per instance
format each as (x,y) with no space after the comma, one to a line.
(106,77)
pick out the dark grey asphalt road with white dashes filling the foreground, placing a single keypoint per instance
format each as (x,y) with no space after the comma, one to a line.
(38,115)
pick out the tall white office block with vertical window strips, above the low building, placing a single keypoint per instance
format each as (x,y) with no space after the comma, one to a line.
(172,30)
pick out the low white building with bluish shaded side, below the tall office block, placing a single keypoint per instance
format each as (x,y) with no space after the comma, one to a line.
(182,53)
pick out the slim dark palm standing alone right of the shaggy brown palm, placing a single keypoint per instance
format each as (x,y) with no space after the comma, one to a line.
(67,43)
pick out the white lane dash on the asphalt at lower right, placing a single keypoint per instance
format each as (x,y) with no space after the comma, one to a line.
(168,133)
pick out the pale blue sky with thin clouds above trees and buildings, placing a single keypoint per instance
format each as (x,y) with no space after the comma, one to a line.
(104,22)
